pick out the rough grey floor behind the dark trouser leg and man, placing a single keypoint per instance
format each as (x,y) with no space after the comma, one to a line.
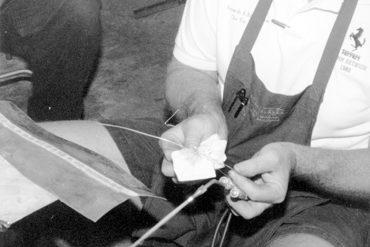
(130,75)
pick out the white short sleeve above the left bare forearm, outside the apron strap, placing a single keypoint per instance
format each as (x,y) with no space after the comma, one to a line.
(195,43)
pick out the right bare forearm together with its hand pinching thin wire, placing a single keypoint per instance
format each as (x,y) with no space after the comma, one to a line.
(342,174)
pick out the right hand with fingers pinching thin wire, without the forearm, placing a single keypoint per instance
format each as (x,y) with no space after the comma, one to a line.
(264,179)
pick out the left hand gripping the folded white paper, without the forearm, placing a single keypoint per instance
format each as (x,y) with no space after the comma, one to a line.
(190,133)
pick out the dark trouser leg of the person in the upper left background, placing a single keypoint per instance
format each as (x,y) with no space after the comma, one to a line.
(61,41)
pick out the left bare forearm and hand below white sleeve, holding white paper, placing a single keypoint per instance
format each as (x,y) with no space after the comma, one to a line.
(196,97)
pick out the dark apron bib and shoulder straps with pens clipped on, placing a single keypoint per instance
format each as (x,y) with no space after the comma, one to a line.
(258,116)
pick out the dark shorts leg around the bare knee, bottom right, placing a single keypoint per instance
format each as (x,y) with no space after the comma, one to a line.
(341,225)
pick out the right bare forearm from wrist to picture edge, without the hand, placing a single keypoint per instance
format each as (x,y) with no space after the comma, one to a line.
(344,173)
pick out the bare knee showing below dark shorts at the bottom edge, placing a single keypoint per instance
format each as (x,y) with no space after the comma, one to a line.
(300,240)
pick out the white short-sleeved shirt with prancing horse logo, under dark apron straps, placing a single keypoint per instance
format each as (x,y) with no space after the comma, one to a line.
(286,54)
